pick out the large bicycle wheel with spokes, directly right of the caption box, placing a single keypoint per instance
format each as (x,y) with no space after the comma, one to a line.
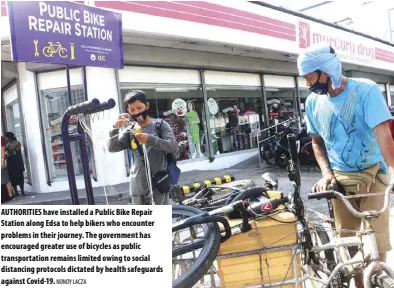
(197,266)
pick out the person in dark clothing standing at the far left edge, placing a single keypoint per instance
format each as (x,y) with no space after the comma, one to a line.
(15,163)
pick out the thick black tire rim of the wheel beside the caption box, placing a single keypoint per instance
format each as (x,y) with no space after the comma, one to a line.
(208,253)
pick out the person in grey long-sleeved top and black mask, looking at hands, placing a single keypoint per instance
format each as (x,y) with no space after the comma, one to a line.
(157,148)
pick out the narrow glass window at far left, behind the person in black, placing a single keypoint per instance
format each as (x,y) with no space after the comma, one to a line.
(14,125)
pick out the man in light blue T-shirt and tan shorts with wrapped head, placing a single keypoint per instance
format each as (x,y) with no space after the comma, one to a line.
(349,123)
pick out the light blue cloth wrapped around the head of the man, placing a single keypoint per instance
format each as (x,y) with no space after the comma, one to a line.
(318,57)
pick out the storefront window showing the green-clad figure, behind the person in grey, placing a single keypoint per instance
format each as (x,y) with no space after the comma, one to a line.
(182,108)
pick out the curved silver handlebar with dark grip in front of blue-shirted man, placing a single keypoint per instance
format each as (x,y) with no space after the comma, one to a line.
(365,214)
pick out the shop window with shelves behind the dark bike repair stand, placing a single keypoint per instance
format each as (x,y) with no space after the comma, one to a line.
(55,103)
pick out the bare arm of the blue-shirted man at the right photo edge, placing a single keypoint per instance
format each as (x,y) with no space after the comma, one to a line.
(386,144)
